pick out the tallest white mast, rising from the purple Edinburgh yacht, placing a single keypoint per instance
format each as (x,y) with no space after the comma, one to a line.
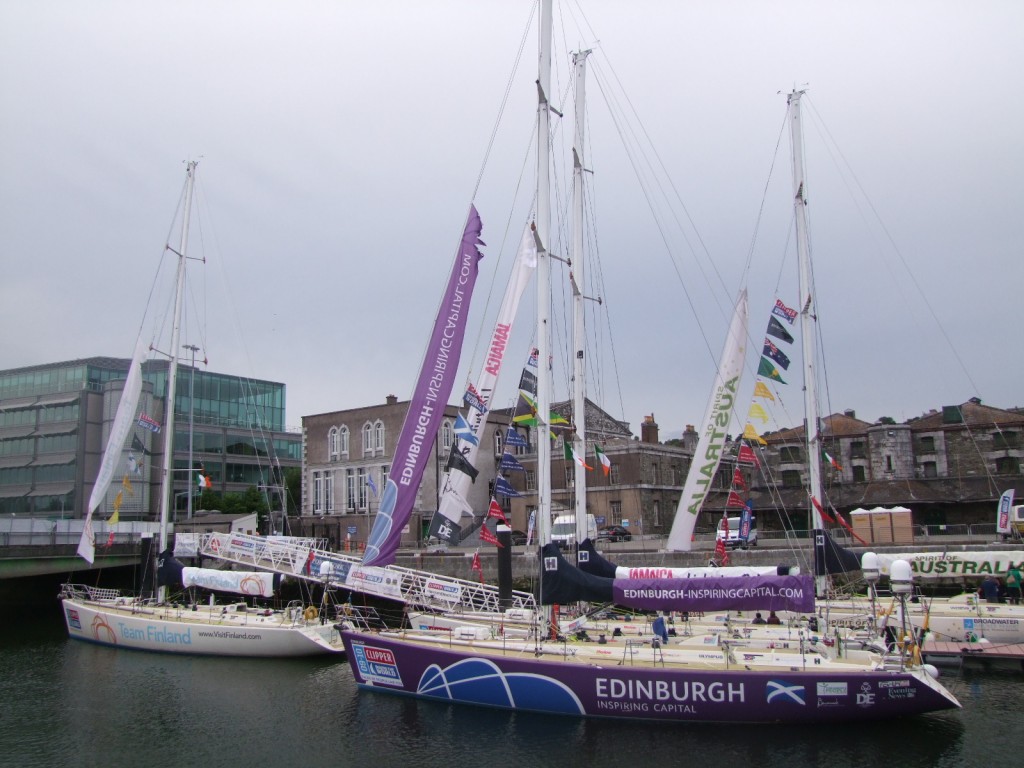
(544,279)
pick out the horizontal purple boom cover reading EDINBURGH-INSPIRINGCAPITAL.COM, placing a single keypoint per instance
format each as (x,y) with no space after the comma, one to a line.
(727,593)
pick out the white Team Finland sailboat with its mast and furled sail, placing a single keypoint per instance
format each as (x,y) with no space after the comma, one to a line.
(151,622)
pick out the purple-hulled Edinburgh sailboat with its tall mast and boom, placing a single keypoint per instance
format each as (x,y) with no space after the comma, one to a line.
(641,678)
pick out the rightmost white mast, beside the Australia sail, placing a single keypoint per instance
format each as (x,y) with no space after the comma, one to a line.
(808,316)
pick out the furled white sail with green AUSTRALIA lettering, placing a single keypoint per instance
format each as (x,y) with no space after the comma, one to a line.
(714,431)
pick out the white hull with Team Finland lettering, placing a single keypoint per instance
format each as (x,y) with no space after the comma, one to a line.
(177,631)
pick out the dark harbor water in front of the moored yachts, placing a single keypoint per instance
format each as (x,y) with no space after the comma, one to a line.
(66,703)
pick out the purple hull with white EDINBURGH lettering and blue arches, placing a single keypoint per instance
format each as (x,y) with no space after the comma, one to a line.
(522,682)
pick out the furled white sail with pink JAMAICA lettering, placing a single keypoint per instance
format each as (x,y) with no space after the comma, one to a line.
(445,525)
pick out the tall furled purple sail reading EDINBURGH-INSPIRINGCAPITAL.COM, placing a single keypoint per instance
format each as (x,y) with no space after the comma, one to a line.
(426,408)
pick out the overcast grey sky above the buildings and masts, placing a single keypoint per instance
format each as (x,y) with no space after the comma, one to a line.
(342,144)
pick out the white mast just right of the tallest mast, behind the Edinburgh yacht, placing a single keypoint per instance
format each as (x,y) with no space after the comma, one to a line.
(579,367)
